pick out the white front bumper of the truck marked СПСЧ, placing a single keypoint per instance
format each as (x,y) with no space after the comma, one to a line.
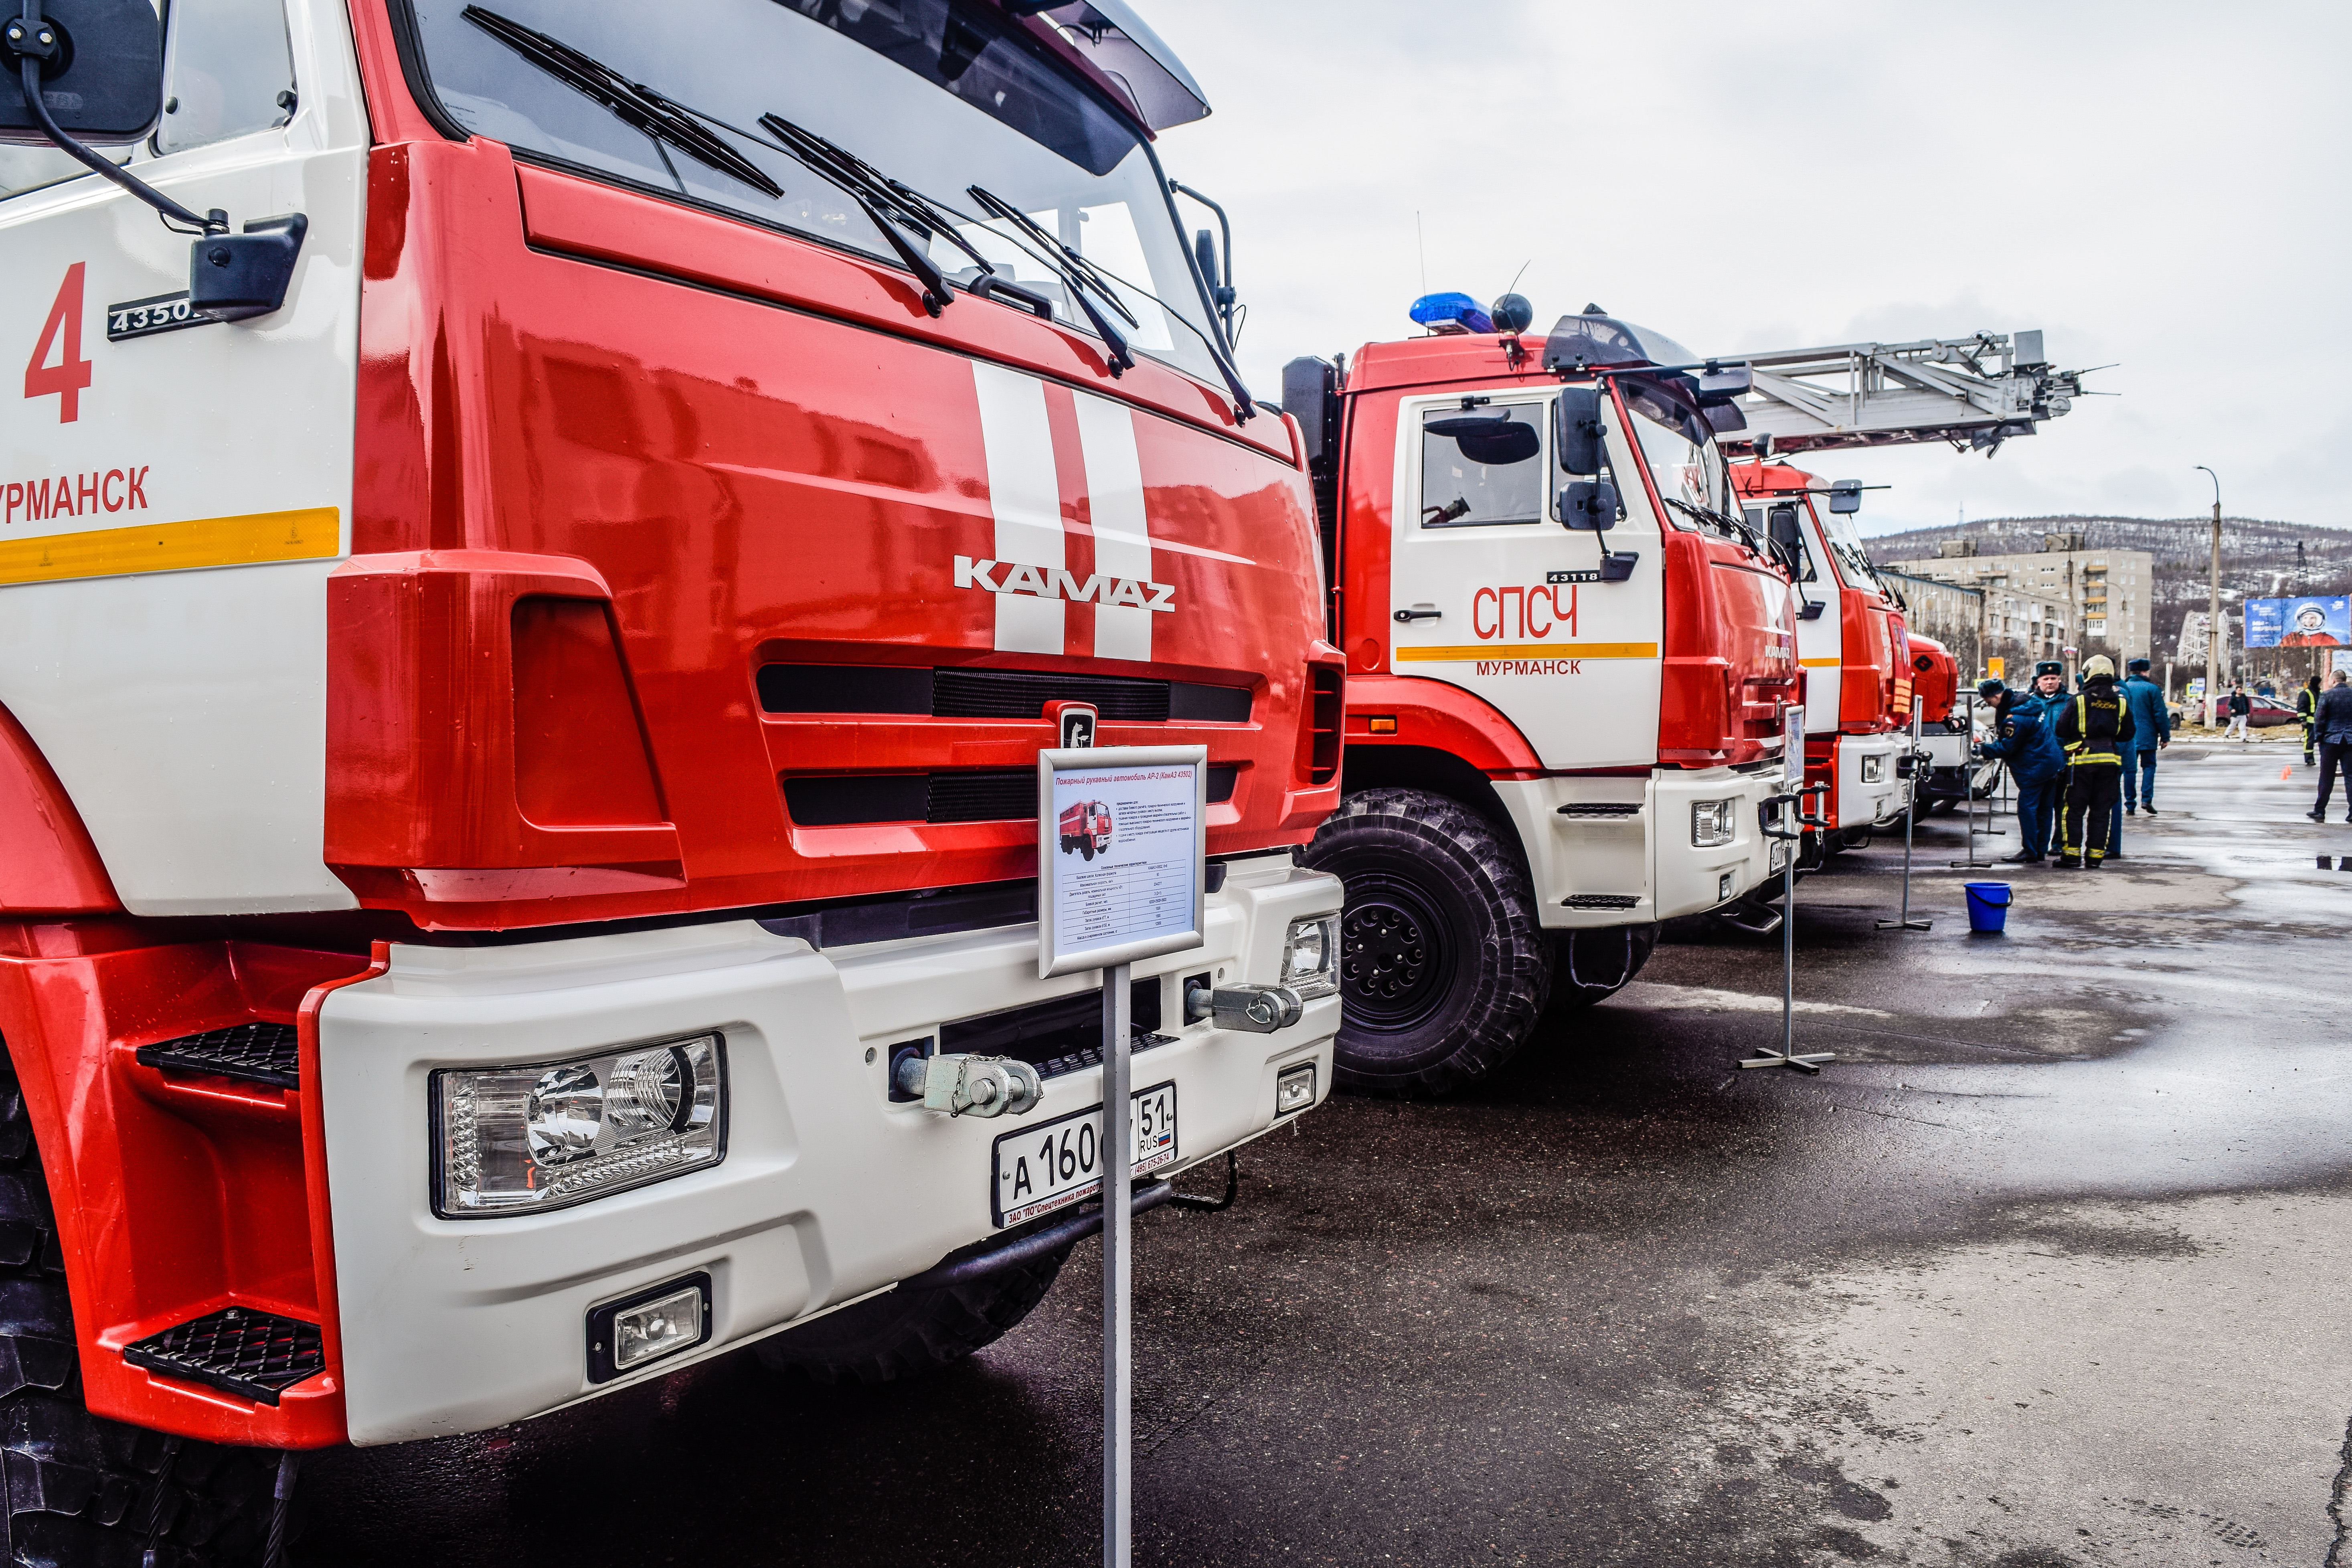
(1638,866)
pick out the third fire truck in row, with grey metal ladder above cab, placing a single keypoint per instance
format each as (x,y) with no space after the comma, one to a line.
(1862,662)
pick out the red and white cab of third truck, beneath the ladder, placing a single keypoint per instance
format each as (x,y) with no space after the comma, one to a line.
(1855,650)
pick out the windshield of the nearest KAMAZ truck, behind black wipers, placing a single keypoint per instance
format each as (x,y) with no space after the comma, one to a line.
(935,95)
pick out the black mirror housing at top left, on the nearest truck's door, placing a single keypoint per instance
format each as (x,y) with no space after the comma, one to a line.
(102,81)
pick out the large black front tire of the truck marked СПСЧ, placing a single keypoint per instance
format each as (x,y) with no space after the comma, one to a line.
(1445,965)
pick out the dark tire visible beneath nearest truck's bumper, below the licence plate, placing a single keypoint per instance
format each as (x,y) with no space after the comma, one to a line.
(904,1334)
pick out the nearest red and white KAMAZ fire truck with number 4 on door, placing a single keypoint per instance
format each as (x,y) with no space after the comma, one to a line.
(542,544)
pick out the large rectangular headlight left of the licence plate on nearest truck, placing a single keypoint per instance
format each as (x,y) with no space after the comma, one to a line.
(556,1134)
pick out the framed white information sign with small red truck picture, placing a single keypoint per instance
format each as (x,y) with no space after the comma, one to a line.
(1123,838)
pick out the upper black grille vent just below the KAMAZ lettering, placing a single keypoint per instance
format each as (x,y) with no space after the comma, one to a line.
(996,695)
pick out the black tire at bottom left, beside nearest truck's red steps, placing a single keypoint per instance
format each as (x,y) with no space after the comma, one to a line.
(86,1492)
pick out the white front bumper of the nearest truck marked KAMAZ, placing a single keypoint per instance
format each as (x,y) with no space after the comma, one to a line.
(829,1191)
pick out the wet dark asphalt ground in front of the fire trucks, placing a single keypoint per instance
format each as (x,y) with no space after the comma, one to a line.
(2045,1268)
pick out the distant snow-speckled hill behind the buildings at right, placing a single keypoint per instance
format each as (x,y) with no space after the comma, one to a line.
(2257,556)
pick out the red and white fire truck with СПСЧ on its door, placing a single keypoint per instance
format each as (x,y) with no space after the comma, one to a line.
(1568,659)
